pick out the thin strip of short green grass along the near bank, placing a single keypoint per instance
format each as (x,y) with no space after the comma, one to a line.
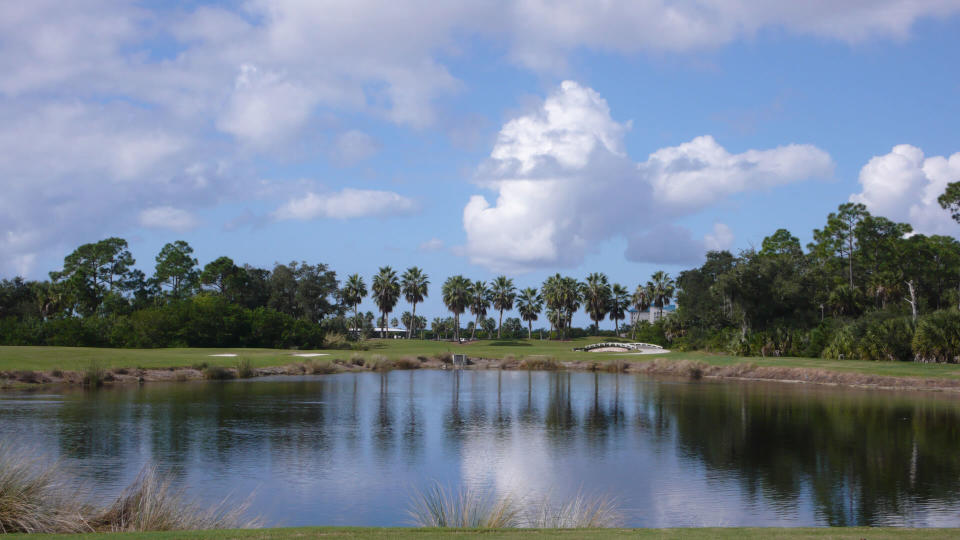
(854,533)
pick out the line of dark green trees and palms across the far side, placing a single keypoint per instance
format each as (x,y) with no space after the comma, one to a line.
(865,287)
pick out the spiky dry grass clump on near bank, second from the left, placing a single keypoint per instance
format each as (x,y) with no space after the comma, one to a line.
(150,504)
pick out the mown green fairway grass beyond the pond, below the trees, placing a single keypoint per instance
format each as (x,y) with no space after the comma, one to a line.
(78,358)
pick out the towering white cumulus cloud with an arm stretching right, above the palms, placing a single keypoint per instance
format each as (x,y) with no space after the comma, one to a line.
(565,185)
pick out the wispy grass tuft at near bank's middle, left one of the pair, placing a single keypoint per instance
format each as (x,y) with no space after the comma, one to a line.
(441,507)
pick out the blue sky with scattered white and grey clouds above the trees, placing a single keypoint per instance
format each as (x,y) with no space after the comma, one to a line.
(474,137)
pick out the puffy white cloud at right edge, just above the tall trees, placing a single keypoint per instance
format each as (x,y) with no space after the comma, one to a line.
(903,185)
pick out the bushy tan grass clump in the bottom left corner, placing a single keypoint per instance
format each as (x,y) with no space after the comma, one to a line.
(33,499)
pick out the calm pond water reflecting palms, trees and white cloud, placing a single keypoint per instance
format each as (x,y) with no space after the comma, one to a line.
(349,449)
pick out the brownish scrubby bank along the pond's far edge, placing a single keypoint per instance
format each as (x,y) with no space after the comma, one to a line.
(659,366)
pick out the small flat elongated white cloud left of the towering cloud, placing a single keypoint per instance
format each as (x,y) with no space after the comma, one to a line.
(346,204)
